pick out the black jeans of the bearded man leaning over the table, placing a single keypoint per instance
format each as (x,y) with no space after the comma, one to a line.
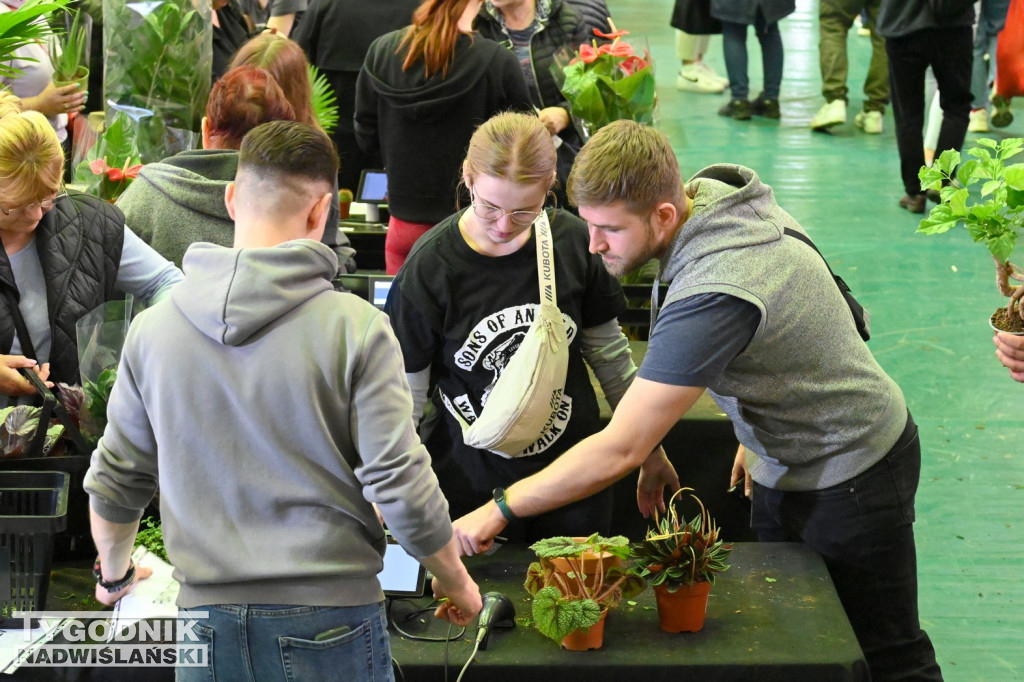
(864,529)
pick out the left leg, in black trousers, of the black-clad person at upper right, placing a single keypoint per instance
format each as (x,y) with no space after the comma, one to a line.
(908,64)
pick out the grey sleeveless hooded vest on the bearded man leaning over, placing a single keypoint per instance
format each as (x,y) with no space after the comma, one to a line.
(806,396)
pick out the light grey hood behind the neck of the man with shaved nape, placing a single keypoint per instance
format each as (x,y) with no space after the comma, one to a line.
(231,294)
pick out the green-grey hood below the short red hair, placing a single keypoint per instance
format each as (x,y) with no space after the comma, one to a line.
(194,180)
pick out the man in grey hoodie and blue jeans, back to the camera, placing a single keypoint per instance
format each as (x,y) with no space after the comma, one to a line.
(274,413)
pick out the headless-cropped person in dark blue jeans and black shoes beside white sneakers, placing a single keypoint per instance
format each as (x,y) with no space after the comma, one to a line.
(764,16)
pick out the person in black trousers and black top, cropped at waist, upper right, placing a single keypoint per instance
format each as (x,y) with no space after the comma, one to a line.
(920,35)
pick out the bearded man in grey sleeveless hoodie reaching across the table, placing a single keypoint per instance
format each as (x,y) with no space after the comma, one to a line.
(754,317)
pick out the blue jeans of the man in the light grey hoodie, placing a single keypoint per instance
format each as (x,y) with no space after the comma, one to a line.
(275,644)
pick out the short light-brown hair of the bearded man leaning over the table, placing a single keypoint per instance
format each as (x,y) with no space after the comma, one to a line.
(630,163)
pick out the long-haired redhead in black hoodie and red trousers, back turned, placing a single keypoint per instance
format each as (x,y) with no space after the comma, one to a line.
(421,94)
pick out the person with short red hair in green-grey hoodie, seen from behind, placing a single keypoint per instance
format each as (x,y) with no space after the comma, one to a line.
(181,200)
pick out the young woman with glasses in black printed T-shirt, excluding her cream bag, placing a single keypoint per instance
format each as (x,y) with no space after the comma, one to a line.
(463,302)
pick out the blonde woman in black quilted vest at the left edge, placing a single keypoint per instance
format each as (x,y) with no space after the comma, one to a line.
(63,257)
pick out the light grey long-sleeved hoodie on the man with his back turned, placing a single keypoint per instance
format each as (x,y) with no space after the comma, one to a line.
(273,411)
